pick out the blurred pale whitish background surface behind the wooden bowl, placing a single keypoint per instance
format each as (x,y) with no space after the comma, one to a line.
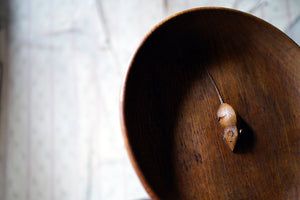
(62,64)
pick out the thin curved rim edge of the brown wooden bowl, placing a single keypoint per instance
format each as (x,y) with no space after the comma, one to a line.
(132,158)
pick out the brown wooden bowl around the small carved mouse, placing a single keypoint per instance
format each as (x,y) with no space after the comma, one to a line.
(169,105)
